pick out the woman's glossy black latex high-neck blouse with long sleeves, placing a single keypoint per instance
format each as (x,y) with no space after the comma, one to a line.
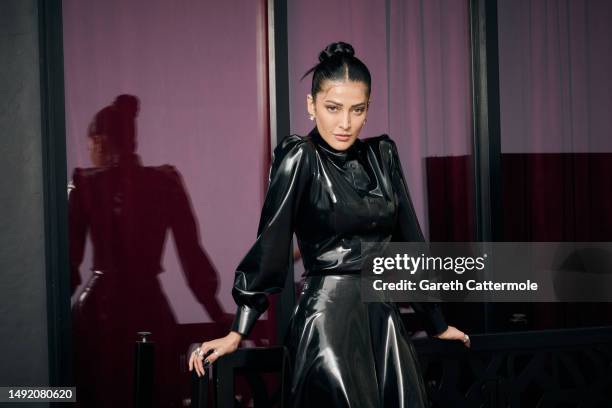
(333,201)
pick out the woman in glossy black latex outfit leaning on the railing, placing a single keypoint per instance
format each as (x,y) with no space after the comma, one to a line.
(335,191)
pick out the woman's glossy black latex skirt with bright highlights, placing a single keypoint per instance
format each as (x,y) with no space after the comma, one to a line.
(346,353)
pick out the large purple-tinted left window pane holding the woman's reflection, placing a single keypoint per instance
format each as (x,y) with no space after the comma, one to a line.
(167,139)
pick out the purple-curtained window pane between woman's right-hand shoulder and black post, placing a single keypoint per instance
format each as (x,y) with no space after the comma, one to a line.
(430,112)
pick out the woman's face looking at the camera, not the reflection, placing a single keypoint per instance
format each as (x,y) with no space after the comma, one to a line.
(340,110)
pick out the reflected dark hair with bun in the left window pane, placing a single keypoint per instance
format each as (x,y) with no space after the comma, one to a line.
(118,123)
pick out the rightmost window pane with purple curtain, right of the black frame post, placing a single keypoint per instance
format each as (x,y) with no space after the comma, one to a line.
(555,94)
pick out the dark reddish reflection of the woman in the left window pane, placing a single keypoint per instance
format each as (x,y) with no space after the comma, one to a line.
(127,209)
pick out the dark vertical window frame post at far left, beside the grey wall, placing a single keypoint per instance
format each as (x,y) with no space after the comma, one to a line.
(55,197)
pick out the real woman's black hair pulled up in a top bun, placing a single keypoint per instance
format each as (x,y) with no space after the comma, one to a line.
(338,62)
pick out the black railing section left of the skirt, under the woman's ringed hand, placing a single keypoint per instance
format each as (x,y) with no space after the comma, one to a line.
(248,361)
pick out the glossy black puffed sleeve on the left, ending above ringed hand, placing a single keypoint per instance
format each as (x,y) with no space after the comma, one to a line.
(264,268)
